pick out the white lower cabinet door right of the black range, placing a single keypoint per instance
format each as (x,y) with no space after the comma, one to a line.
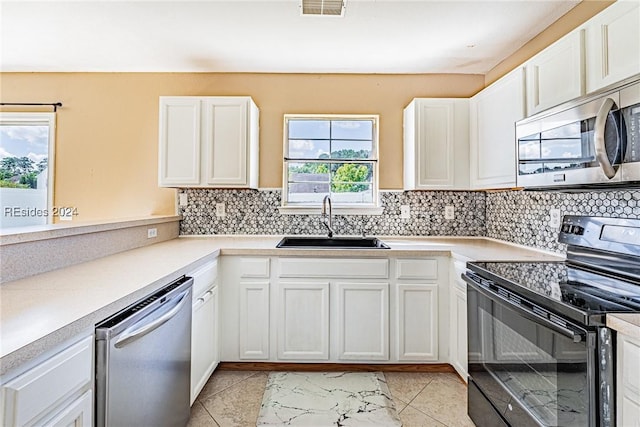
(628,381)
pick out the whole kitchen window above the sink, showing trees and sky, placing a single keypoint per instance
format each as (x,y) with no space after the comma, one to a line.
(334,155)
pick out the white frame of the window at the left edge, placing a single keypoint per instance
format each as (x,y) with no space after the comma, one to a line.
(43,119)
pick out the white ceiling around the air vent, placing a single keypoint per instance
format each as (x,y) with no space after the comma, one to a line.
(374,36)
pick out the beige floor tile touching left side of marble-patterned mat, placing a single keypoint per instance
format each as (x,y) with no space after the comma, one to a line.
(239,404)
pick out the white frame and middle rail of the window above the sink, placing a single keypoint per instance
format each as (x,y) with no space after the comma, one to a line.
(372,208)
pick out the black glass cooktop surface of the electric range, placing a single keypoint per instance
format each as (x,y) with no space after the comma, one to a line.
(583,295)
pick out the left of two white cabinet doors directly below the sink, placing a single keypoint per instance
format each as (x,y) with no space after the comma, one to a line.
(303,320)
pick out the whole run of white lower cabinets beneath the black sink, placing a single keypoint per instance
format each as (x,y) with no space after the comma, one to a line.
(354,310)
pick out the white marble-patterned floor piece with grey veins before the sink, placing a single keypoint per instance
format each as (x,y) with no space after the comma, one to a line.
(322,399)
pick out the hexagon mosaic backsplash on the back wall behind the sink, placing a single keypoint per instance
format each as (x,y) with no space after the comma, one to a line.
(256,212)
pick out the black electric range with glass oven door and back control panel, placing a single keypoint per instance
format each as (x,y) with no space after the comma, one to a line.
(540,353)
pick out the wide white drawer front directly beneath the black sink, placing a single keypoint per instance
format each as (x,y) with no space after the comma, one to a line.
(330,267)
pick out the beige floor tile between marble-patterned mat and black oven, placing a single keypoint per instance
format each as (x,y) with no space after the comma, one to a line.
(444,399)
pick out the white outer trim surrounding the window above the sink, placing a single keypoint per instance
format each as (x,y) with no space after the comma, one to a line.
(309,209)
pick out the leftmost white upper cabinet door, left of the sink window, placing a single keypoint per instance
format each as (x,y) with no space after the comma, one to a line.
(179,141)
